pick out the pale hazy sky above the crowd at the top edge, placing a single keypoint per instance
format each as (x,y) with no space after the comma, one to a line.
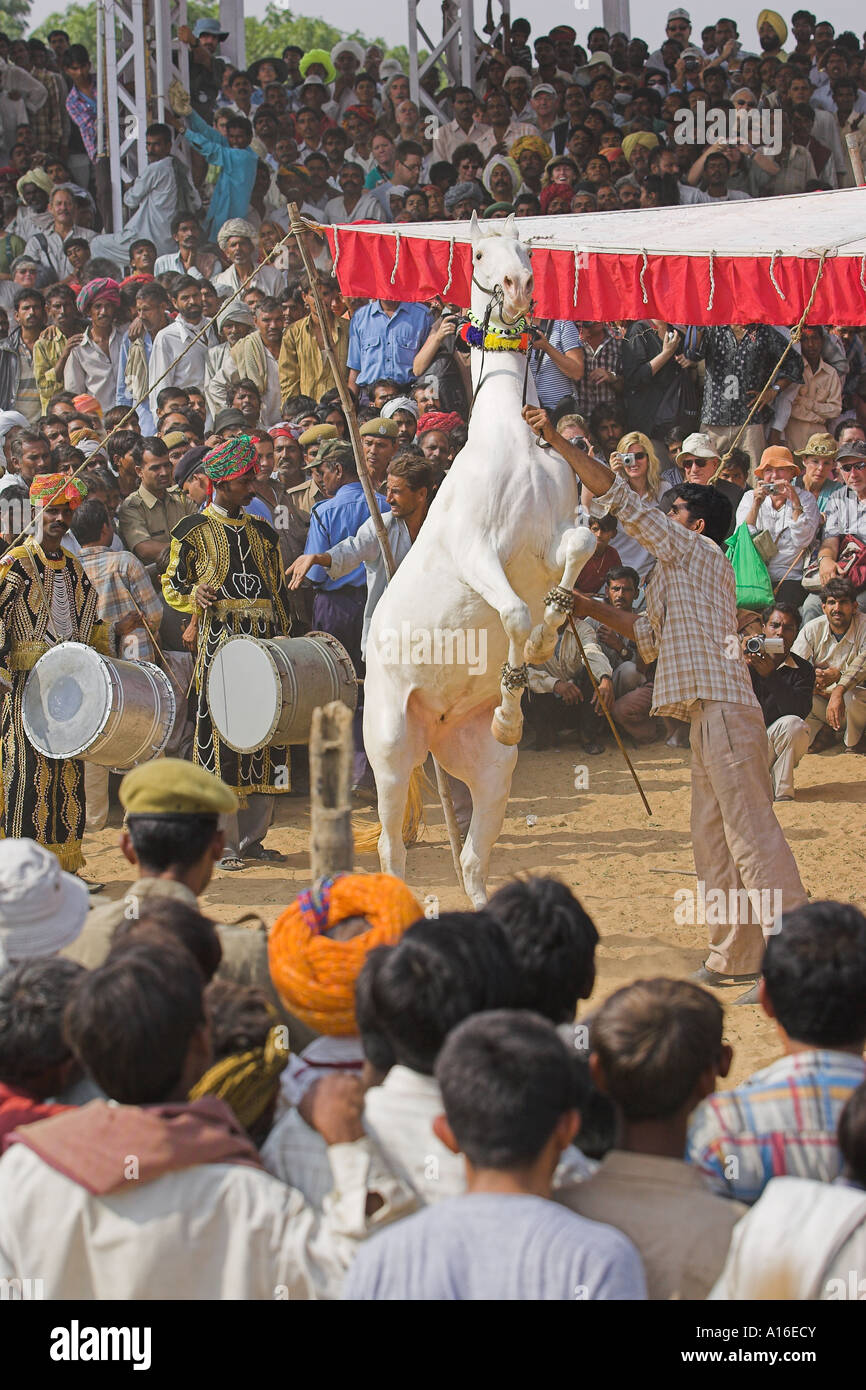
(389,17)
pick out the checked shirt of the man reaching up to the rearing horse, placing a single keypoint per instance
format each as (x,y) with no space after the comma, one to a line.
(690,622)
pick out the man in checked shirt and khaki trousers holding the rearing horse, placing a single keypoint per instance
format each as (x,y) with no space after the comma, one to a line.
(690,626)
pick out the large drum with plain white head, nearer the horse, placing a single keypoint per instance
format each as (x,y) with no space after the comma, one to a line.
(265,692)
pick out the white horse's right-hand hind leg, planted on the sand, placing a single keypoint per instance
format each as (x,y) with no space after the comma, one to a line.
(487,768)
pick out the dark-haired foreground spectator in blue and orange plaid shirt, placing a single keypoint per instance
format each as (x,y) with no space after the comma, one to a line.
(783,1120)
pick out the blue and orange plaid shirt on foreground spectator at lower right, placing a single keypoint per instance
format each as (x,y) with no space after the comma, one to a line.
(782,1122)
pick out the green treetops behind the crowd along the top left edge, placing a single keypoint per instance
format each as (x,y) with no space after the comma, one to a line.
(263,37)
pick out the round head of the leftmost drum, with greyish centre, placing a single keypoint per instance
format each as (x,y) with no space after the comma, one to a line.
(66,701)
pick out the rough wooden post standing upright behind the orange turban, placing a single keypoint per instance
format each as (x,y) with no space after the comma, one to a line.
(332,753)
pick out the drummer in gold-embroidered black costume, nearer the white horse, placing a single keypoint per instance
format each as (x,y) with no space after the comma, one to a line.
(226,568)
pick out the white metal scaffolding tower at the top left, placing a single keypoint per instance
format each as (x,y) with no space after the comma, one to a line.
(137,58)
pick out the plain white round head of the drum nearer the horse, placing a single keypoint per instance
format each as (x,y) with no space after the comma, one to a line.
(244,694)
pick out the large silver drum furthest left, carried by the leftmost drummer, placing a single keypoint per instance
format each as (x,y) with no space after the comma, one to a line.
(79,704)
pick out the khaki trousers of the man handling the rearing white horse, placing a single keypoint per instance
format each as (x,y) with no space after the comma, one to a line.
(737,840)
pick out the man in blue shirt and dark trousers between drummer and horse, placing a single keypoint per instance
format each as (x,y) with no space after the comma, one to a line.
(338,607)
